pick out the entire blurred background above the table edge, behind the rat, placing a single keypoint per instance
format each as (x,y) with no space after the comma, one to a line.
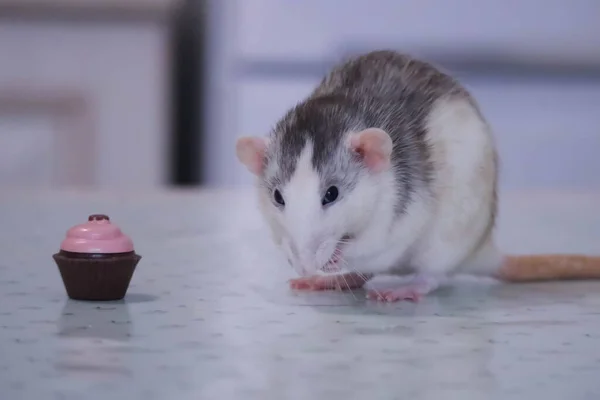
(147,94)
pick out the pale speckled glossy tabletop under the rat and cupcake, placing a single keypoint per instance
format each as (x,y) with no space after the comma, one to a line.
(209,315)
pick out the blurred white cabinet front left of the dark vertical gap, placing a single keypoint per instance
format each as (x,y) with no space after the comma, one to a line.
(84,104)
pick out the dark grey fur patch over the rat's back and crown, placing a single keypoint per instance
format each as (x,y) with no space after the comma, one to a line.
(381,89)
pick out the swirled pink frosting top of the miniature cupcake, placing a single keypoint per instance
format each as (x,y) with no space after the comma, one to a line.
(97,235)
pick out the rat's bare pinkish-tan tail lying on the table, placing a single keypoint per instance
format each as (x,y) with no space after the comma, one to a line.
(548,267)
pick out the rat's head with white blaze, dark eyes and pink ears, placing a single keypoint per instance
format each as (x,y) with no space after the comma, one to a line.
(321,177)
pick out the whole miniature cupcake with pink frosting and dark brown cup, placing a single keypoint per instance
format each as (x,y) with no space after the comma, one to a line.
(96,260)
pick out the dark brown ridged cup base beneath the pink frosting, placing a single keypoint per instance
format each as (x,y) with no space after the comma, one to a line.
(96,277)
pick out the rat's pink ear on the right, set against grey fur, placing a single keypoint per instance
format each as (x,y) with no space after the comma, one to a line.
(374,145)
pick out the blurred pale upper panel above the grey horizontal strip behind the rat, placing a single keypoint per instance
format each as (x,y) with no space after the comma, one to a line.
(552,29)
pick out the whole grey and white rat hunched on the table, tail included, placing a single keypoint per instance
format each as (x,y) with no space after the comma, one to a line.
(388,167)
